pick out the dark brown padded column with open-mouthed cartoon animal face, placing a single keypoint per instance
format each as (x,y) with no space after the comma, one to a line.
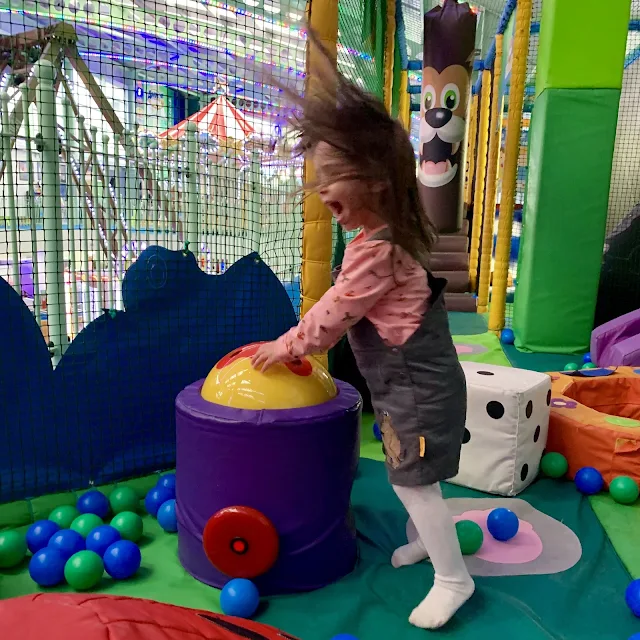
(449,46)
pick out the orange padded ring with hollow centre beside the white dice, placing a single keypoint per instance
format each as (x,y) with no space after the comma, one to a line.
(595,422)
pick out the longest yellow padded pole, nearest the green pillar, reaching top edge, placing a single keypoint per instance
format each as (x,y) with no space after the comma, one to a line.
(511,153)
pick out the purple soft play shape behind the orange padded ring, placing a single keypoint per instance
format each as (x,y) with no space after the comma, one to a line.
(617,342)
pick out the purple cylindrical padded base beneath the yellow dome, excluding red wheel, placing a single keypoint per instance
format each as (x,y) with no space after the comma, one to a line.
(296,466)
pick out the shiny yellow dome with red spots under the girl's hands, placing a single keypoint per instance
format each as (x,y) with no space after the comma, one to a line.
(233,382)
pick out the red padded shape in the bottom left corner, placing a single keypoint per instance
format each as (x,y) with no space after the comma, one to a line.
(59,616)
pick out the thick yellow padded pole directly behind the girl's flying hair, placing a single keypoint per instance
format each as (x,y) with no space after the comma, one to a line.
(317,233)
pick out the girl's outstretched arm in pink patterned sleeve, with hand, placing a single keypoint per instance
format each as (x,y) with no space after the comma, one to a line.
(366,276)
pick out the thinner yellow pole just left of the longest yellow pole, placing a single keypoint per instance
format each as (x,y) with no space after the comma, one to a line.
(478,198)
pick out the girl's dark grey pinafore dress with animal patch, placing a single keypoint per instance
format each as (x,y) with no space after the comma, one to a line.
(418,393)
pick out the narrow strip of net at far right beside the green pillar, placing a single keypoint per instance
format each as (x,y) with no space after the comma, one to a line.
(619,291)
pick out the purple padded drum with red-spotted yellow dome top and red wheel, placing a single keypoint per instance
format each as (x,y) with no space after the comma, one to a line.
(265,466)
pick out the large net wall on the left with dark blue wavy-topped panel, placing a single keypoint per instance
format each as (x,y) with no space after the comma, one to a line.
(146,157)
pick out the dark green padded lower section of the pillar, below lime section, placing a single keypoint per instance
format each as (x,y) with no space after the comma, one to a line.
(571,137)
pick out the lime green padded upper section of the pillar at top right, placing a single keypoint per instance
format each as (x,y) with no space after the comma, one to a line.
(582,44)
